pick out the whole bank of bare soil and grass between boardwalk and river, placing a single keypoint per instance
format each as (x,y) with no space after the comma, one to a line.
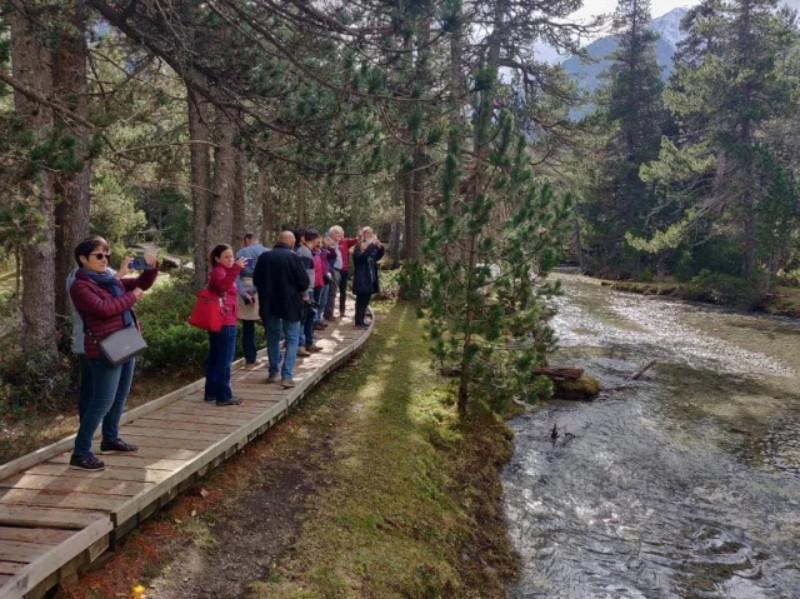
(373,488)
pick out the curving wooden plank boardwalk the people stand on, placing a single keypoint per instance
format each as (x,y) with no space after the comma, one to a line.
(55,521)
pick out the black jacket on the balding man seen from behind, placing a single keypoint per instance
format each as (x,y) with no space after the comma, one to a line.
(280,279)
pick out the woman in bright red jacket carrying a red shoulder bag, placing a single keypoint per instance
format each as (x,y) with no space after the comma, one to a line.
(222,345)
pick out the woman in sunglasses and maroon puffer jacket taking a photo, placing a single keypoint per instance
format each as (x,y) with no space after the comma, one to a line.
(104,302)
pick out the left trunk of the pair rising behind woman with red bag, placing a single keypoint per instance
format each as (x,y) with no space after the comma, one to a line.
(201,181)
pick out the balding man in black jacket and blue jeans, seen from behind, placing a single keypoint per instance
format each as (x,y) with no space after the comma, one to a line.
(281,279)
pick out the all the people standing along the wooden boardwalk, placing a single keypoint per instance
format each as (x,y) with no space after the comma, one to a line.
(292,288)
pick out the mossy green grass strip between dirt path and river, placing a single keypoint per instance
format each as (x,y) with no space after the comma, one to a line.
(410,508)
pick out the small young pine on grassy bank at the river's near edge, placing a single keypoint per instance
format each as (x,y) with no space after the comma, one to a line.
(487,304)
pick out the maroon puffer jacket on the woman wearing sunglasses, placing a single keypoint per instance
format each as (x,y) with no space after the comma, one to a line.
(101,311)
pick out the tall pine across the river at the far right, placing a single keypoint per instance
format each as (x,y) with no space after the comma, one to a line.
(725,91)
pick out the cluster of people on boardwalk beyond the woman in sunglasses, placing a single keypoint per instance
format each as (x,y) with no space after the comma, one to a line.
(292,289)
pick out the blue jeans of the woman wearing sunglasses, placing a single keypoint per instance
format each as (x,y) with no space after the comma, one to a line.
(104,389)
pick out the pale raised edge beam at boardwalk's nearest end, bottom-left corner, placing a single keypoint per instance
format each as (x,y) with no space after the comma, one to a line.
(44,566)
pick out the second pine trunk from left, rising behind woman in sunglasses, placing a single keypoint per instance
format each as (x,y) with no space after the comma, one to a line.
(71,87)
